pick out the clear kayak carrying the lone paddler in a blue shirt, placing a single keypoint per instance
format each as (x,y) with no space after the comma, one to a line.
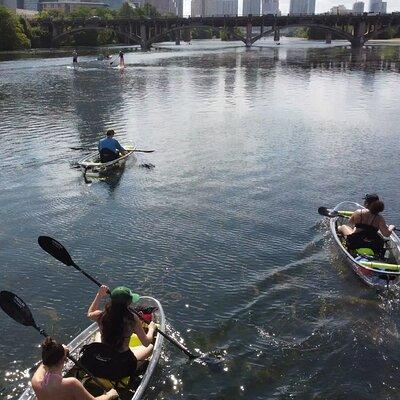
(92,166)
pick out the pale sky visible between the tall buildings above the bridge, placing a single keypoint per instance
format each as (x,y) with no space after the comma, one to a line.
(320,7)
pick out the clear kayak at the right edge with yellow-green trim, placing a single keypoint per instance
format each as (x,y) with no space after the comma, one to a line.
(376,271)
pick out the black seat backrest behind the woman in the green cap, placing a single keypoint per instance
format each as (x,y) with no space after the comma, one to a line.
(104,362)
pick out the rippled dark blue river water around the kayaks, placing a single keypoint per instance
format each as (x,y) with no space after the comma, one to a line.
(224,230)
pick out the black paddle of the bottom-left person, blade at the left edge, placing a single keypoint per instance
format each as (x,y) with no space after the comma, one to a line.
(17,309)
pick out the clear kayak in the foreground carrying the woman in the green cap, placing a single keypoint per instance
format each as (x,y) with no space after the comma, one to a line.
(92,334)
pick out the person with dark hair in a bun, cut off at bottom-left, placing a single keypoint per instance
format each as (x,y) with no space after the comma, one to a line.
(48,383)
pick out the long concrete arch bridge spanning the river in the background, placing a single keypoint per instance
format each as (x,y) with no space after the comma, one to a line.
(357,29)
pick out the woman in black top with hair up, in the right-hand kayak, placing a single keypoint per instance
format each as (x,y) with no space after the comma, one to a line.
(365,224)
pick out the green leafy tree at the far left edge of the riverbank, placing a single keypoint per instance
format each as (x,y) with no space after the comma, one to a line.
(12,34)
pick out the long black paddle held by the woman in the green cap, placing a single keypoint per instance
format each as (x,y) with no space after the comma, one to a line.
(59,252)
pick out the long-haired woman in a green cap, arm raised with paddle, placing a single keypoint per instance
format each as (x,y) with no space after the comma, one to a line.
(117,324)
